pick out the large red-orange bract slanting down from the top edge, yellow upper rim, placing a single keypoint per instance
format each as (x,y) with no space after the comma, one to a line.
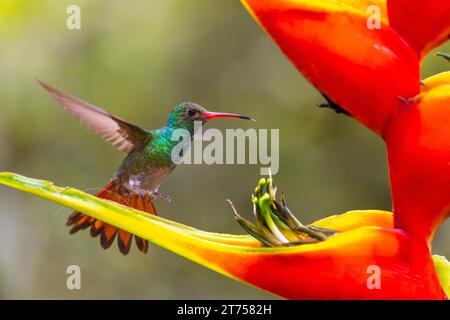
(364,71)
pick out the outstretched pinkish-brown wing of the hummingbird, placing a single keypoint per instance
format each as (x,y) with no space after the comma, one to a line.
(123,135)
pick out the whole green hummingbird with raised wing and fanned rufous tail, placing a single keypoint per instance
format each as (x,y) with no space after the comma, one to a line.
(148,162)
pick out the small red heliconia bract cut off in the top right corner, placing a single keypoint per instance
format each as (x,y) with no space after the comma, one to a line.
(423,23)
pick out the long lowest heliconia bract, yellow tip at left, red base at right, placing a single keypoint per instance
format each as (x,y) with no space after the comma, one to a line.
(366,259)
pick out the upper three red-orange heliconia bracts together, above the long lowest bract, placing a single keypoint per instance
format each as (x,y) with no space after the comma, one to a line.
(373,74)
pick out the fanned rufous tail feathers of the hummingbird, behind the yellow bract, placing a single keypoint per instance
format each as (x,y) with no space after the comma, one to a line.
(108,233)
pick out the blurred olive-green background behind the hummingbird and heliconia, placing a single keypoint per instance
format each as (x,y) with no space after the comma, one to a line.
(137,60)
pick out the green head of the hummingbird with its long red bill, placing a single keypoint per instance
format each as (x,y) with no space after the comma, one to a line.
(184,115)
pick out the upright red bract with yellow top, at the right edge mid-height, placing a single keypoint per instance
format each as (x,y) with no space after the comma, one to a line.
(418,142)
